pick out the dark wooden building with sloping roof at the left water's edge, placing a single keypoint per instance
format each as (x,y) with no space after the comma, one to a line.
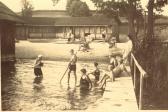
(7,32)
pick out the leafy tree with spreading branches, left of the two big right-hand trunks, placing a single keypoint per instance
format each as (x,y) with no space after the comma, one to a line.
(132,9)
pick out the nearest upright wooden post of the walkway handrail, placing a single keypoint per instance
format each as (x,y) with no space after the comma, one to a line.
(141,92)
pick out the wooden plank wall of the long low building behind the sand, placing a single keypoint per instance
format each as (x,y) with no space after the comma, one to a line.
(44,32)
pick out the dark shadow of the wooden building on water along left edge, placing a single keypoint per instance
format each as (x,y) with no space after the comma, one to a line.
(7,79)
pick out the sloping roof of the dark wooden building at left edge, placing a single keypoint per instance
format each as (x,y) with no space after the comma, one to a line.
(8,14)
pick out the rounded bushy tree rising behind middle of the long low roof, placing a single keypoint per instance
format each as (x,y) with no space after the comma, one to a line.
(77,8)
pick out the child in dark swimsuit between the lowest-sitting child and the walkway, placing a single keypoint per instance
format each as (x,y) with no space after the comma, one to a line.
(96,72)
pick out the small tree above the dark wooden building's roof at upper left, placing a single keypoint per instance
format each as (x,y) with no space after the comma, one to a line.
(27,8)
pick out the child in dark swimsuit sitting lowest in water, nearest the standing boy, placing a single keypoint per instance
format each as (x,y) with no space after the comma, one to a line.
(85,82)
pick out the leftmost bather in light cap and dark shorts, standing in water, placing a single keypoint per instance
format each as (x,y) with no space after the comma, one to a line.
(37,66)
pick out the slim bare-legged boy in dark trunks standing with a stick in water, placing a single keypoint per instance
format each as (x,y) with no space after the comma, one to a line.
(72,65)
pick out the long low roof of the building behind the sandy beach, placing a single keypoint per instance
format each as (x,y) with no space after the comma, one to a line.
(72,21)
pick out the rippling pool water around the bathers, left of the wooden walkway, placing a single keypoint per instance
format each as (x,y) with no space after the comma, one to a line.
(22,91)
